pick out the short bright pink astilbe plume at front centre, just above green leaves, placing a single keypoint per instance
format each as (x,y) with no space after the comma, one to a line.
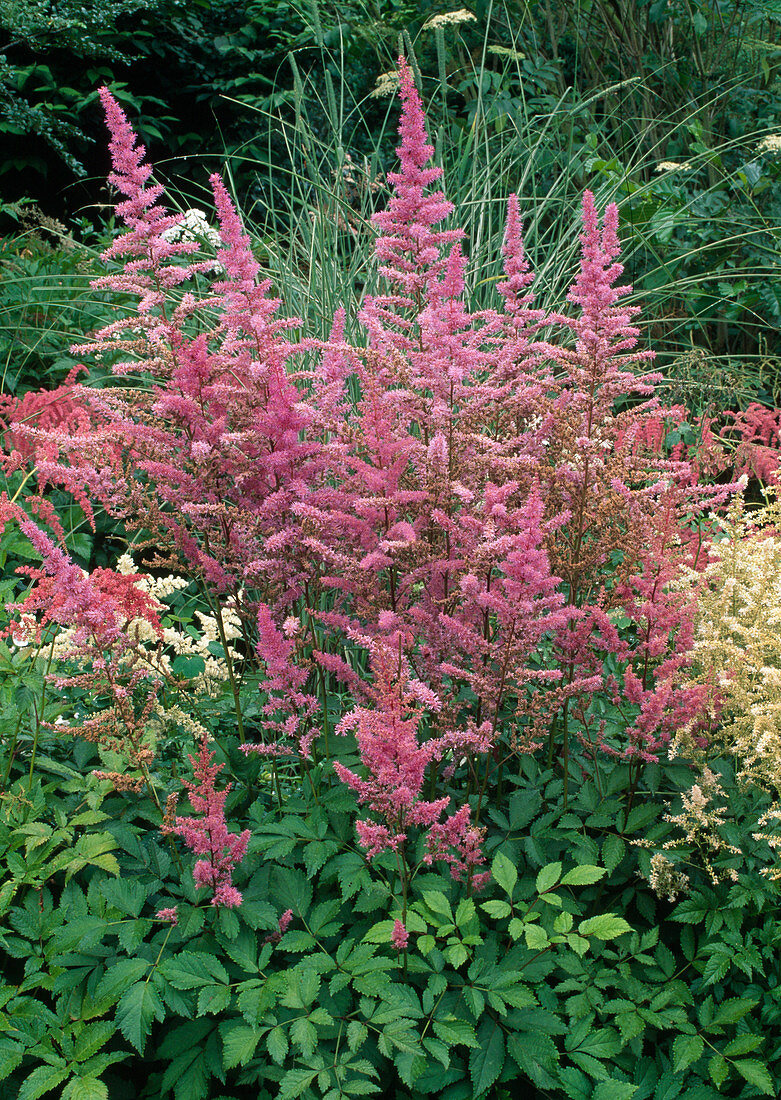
(397,762)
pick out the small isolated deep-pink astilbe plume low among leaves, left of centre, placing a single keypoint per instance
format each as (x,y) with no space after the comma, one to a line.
(208,835)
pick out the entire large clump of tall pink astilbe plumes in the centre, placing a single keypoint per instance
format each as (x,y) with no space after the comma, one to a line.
(491,498)
